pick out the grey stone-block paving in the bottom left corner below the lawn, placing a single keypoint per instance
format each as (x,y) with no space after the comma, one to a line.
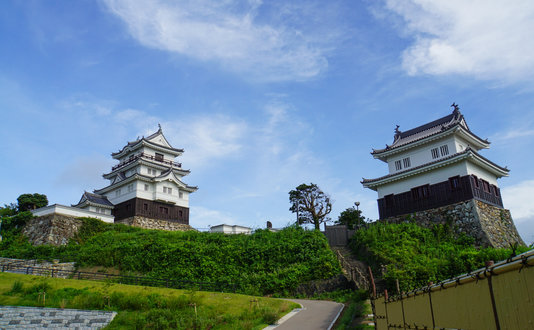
(45,318)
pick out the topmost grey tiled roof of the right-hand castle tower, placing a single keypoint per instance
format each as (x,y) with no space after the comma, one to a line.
(437,126)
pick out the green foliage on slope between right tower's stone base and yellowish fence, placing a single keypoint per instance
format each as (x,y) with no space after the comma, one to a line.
(415,255)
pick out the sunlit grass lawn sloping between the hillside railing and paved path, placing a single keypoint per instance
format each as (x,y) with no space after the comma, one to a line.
(141,307)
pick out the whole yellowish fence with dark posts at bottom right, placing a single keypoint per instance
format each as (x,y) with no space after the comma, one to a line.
(500,296)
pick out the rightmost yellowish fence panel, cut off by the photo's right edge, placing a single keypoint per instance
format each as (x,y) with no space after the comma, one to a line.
(514,296)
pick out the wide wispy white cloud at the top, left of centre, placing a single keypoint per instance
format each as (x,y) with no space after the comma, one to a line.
(231,34)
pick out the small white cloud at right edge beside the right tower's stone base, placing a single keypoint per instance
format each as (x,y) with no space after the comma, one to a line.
(518,198)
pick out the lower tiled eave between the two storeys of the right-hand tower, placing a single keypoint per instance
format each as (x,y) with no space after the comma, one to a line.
(468,154)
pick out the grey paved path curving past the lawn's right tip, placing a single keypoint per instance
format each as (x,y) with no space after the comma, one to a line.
(314,315)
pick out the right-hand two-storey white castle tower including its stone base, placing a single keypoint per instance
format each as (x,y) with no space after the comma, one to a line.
(437,174)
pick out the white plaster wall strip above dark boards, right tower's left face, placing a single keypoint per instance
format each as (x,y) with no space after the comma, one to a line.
(431,177)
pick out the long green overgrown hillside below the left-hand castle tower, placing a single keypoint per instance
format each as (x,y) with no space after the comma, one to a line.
(261,263)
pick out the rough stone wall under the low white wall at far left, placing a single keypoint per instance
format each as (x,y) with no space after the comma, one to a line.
(54,229)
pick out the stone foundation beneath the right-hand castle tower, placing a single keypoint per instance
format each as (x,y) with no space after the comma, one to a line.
(487,224)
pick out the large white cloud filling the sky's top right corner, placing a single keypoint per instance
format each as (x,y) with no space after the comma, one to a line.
(481,38)
